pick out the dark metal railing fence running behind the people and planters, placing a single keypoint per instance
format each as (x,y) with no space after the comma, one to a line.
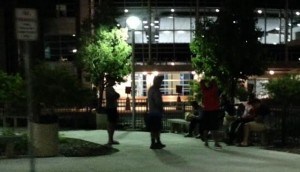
(286,123)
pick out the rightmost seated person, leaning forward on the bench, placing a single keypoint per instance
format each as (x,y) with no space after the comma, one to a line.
(258,124)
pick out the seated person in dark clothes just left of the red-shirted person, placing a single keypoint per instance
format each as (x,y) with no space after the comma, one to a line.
(195,118)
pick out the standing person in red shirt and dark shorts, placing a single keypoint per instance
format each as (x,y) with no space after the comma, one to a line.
(211,108)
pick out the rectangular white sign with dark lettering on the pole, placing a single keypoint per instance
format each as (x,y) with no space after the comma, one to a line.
(26,24)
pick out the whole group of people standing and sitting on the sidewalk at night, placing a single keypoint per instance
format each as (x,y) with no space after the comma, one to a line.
(208,116)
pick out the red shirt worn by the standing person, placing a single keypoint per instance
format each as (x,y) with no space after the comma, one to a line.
(210,99)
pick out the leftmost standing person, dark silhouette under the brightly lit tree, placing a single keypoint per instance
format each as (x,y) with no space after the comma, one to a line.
(111,108)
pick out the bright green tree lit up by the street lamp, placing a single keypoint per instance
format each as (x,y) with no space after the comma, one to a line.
(105,54)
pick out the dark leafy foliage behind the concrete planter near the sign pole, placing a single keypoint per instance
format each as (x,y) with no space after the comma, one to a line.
(57,87)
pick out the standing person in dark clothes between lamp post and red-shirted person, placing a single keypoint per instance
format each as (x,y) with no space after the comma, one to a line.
(155,112)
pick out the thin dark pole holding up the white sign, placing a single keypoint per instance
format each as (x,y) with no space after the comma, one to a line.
(29,104)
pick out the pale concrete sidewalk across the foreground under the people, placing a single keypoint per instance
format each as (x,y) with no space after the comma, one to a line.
(181,154)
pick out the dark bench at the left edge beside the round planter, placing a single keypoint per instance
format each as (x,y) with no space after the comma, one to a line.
(9,142)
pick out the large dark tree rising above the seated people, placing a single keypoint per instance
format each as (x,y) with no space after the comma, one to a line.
(228,47)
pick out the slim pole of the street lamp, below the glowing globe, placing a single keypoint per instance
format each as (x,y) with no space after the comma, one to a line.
(133,81)
